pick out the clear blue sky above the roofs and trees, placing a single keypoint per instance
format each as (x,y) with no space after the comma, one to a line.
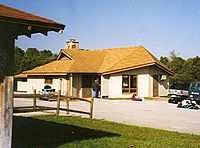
(159,25)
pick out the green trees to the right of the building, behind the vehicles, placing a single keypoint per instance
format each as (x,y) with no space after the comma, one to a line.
(185,70)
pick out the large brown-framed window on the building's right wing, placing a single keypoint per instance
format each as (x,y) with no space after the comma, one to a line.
(129,84)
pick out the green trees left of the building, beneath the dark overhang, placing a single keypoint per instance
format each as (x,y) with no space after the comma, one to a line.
(31,58)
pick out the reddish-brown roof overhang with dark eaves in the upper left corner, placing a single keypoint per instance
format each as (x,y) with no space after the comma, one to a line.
(22,23)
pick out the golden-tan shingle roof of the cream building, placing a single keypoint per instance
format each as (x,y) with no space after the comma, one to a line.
(104,61)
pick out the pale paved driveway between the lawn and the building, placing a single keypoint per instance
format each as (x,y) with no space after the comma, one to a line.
(156,114)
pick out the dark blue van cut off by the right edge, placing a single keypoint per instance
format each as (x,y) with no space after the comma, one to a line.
(194,92)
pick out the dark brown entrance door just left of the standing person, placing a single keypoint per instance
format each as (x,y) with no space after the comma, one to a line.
(87,86)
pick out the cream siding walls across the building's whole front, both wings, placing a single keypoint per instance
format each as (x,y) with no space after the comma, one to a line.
(111,86)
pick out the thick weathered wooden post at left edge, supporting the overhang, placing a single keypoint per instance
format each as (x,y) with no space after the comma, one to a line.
(6,86)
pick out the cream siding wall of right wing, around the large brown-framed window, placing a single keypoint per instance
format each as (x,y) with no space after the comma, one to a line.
(145,83)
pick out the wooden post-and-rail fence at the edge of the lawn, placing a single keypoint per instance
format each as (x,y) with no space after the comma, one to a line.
(57,97)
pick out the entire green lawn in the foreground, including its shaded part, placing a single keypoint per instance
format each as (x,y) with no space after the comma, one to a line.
(76,132)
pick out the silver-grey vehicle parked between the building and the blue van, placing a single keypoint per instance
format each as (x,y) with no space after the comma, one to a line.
(178,92)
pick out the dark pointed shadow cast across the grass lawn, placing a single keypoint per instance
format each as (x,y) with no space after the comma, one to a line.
(30,132)
